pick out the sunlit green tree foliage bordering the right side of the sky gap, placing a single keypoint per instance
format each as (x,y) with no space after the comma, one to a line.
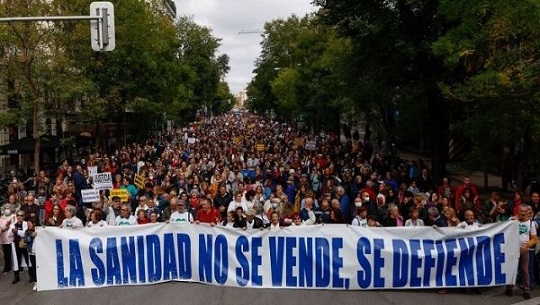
(296,73)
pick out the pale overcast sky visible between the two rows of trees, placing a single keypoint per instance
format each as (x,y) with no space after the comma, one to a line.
(228,17)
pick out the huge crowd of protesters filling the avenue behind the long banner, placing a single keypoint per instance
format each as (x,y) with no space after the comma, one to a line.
(250,172)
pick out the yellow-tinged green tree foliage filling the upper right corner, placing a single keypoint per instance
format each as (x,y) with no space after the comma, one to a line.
(493,50)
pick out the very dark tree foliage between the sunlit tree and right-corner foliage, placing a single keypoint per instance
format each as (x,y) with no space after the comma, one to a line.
(392,66)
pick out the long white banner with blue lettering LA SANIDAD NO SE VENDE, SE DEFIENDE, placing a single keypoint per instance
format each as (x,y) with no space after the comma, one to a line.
(310,257)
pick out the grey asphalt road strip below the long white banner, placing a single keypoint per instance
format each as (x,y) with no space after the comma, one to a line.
(194,293)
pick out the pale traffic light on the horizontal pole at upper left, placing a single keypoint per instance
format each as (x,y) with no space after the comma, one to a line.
(102,28)
